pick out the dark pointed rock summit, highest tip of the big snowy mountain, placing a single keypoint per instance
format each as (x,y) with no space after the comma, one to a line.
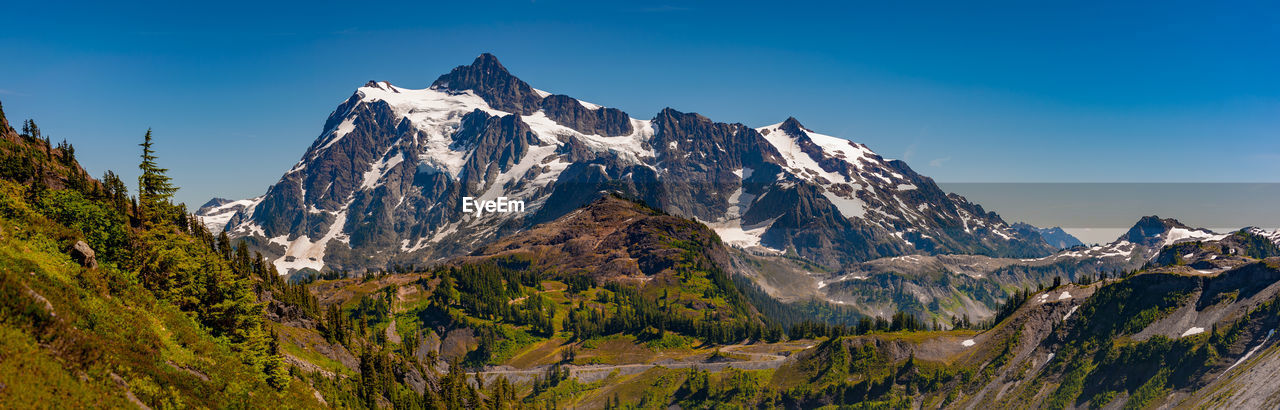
(490,80)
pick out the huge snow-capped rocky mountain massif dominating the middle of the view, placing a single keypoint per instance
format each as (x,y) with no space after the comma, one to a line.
(386,181)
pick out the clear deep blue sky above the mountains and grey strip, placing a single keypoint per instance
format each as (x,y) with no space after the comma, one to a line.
(1014,92)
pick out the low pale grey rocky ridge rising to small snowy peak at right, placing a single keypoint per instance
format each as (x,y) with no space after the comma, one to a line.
(975,285)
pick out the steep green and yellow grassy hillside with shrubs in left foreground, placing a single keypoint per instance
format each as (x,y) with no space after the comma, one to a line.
(102,331)
